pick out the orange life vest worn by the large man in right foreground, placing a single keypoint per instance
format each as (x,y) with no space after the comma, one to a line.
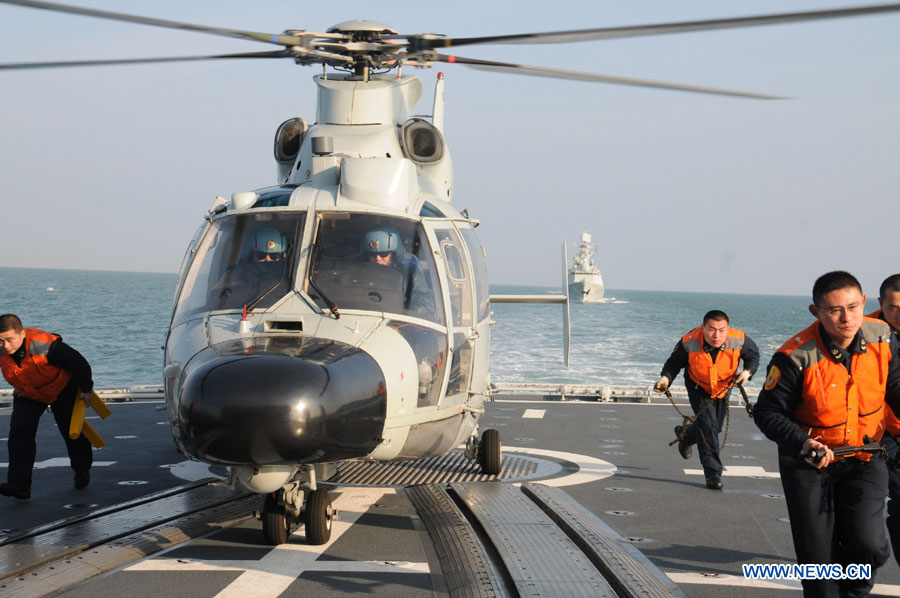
(838,407)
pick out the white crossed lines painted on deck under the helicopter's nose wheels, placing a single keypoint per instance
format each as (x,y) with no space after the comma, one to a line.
(281,566)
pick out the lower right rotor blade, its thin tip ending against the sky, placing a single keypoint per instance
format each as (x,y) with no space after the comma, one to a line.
(538,71)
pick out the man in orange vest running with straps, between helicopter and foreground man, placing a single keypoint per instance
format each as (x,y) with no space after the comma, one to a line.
(709,355)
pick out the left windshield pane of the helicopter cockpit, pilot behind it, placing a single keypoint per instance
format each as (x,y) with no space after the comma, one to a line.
(246,259)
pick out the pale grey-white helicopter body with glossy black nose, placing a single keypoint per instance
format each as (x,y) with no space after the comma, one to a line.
(281,379)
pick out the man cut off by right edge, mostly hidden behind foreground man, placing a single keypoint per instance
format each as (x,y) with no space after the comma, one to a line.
(889,311)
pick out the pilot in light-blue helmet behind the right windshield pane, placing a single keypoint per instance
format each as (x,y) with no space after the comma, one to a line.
(383,247)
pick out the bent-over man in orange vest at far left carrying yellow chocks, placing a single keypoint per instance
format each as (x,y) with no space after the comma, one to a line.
(43,371)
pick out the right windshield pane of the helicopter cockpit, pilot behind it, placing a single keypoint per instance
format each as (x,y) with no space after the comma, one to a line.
(375,263)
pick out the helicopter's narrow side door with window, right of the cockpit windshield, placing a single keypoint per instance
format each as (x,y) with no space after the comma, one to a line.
(459,299)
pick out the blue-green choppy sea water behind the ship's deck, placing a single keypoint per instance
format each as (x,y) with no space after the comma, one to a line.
(118,321)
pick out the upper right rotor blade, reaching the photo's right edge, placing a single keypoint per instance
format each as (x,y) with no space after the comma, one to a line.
(426,42)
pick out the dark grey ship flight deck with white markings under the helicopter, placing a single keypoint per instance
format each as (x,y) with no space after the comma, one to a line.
(591,501)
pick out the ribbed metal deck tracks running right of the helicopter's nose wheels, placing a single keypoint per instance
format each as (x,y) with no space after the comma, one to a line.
(504,540)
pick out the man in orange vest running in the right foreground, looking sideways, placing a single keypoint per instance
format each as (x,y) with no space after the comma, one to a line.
(826,388)
